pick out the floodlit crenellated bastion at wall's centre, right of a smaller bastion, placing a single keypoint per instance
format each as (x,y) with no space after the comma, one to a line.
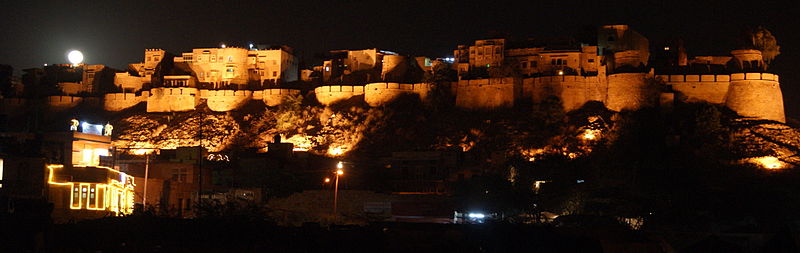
(377,94)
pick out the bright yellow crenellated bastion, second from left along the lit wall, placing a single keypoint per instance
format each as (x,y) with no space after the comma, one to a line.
(172,99)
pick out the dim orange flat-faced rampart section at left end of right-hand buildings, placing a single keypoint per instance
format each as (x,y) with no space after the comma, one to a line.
(485,93)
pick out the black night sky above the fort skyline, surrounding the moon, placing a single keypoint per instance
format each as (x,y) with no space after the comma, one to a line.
(114,34)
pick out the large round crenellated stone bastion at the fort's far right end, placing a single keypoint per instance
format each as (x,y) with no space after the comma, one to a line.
(756,95)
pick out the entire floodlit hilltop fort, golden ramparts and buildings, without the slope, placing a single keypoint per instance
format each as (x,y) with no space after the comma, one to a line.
(620,71)
